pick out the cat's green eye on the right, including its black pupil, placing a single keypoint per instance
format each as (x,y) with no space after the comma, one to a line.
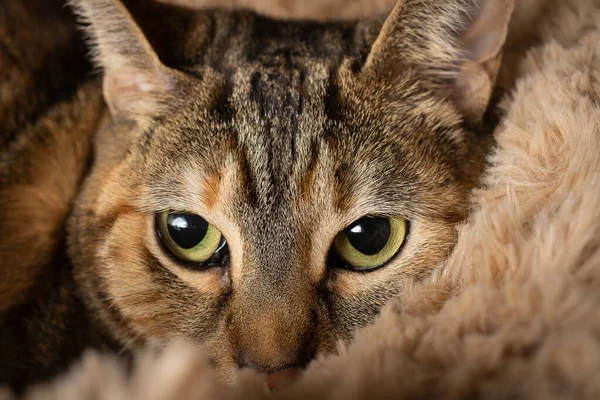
(370,241)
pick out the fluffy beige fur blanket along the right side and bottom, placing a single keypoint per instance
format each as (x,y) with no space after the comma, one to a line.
(515,310)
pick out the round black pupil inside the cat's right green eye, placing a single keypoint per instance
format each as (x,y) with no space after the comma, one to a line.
(369,235)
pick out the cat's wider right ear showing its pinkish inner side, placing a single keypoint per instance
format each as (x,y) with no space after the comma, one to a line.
(454,45)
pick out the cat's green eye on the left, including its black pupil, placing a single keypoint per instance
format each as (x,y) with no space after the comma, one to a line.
(188,236)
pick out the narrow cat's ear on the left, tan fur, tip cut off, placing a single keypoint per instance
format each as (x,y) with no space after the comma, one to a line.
(137,86)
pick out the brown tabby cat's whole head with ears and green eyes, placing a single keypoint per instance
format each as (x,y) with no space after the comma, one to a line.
(274,185)
